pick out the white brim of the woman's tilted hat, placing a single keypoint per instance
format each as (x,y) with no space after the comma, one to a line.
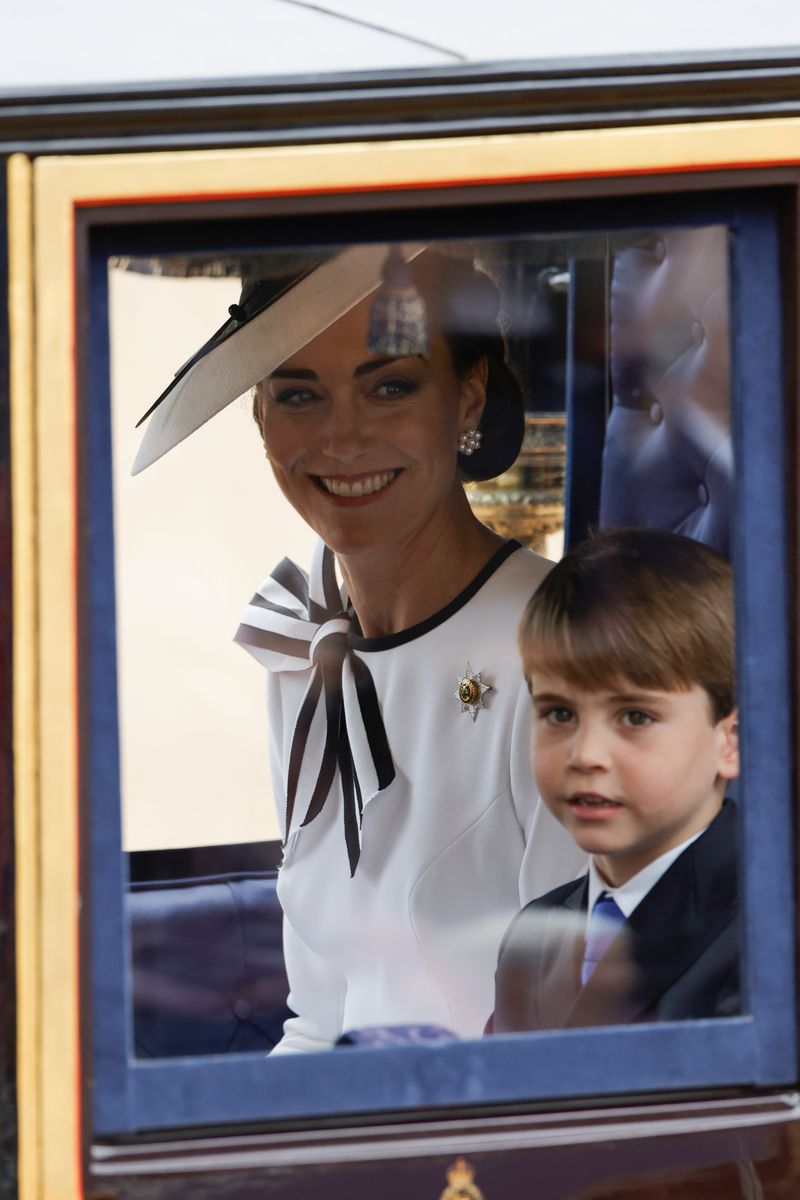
(239,361)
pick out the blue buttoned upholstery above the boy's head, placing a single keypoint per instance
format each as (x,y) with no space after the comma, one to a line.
(667,459)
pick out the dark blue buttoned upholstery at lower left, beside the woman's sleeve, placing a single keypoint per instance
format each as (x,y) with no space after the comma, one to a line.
(208,974)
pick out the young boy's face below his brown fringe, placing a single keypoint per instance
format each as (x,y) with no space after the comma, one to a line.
(630,772)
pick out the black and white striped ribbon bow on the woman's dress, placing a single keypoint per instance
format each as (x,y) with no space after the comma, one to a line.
(296,622)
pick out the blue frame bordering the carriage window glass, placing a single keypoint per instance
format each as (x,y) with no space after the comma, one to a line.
(755,1051)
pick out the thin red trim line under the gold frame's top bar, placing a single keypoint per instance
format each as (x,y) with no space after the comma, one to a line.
(414,185)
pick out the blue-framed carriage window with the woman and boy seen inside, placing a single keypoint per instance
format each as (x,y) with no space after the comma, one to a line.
(282,923)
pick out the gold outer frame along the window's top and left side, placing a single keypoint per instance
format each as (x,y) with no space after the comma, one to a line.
(45,196)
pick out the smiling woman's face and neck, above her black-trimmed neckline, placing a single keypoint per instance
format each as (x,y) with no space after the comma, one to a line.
(365,452)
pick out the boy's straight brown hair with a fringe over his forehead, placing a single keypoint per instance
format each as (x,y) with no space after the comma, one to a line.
(640,605)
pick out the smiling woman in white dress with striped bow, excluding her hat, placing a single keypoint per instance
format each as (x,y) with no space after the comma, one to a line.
(399,717)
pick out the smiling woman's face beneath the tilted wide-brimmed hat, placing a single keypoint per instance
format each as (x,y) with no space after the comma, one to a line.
(364,447)
